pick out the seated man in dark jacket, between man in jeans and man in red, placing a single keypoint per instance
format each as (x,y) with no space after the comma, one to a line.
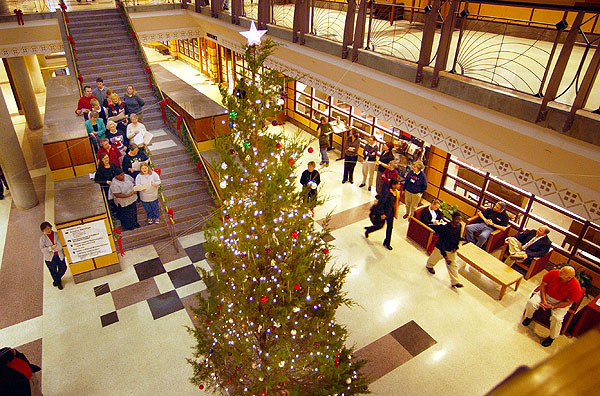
(527,245)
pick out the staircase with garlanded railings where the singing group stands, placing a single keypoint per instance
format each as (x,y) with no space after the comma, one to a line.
(114,58)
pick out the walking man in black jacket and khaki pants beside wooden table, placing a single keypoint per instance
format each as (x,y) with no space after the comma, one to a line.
(446,247)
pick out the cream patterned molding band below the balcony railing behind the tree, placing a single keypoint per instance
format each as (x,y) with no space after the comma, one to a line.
(541,186)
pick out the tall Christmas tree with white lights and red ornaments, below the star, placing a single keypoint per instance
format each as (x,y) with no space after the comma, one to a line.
(266,325)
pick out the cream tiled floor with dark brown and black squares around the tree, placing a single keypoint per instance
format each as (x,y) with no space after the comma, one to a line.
(124,334)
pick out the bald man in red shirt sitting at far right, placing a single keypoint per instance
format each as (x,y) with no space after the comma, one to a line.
(558,290)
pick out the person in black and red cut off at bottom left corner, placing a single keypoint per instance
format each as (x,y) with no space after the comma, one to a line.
(18,377)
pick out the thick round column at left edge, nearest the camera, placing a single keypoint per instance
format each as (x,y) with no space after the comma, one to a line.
(13,162)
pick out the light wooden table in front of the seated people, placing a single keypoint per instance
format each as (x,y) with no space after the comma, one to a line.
(490,266)
